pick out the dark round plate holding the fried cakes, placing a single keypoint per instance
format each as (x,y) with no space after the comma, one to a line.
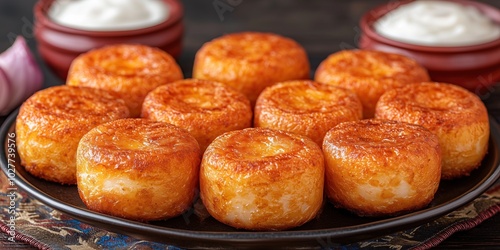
(332,227)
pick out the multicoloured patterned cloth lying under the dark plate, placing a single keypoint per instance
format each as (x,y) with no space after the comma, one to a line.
(42,227)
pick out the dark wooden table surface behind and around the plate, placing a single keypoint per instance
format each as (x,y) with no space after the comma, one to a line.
(322,27)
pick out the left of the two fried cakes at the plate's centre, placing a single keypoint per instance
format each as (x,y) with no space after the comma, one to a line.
(206,109)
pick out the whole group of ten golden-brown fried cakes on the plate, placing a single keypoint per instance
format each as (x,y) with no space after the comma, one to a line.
(261,141)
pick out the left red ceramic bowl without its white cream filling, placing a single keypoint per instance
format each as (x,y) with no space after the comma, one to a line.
(59,45)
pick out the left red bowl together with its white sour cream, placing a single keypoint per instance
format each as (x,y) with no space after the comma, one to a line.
(65,29)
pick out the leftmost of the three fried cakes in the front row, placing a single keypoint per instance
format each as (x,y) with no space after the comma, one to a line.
(138,169)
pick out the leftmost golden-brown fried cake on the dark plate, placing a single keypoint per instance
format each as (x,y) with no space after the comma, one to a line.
(52,121)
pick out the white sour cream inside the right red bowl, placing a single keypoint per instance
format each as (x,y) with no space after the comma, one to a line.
(437,23)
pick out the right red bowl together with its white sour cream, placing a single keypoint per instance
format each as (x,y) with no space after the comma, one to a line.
(457,41)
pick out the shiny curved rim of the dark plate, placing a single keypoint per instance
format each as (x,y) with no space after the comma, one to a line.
(241,237)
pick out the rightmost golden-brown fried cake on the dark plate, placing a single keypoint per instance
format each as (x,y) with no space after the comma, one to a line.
(457,116)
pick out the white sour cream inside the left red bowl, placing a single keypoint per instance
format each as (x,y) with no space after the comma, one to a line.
(108,15)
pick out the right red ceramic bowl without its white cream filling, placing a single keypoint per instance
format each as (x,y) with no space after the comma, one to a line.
(475,67)
